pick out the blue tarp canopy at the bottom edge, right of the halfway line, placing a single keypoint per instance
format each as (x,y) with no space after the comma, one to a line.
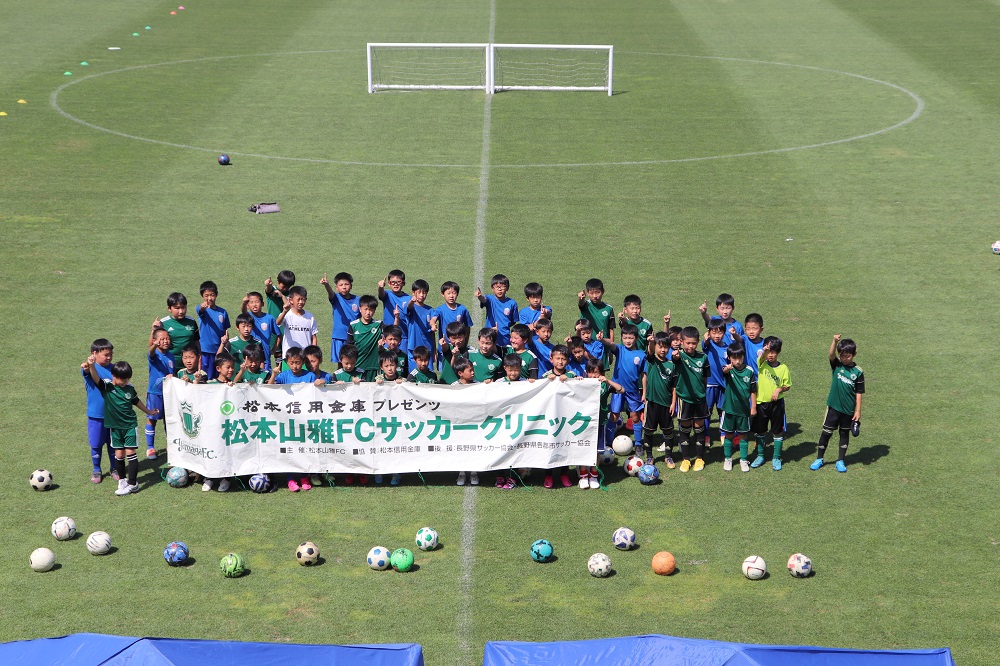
(663,650)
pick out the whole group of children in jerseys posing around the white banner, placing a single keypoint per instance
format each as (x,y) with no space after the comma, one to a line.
(657,376)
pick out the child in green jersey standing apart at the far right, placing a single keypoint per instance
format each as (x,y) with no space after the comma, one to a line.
(843,404)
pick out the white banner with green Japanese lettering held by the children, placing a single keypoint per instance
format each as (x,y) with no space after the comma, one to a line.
(220,431)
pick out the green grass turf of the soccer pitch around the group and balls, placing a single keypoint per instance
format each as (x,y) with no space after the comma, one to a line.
(891,238)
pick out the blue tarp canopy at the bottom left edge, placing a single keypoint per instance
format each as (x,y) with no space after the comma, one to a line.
(104,650)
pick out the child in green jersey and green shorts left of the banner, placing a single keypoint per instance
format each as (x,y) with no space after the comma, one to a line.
(120,399)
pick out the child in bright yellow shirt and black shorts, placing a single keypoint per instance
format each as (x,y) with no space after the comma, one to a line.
(773,381)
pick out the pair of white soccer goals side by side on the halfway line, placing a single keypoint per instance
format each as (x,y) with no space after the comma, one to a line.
(489,67)
